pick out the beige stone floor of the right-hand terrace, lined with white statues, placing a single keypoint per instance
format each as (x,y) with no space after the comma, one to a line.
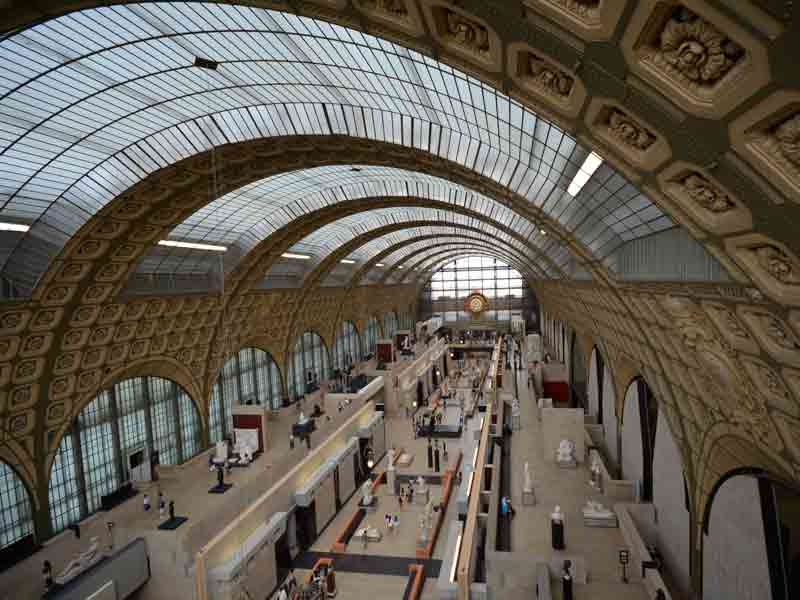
(568,488)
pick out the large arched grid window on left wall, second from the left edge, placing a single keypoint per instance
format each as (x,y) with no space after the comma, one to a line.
(91,461)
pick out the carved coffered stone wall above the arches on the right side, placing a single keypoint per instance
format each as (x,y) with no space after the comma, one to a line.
(750,394)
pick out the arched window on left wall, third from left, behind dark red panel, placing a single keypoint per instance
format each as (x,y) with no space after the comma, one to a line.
(249,376)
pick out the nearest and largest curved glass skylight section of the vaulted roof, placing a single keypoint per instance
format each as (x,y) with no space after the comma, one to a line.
(99,99)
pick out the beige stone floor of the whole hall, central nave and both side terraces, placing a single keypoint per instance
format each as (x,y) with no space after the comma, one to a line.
(530,530)
